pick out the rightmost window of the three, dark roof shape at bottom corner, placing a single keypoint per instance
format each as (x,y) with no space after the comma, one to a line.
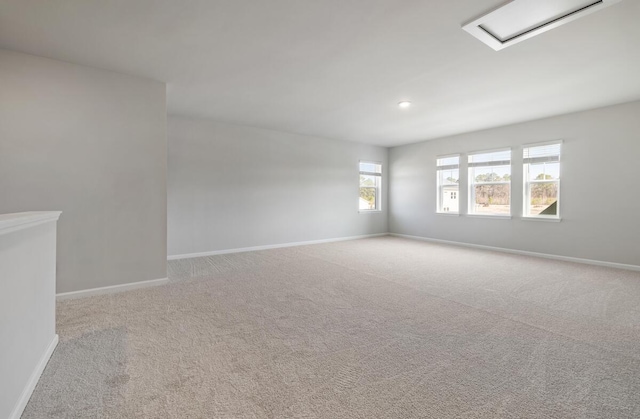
(541,180)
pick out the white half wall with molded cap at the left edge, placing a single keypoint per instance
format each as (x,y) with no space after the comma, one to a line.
(27,305)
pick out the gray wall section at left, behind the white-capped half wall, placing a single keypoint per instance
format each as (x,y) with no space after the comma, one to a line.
(92,144)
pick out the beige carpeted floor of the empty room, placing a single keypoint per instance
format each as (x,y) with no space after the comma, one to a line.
(376,328)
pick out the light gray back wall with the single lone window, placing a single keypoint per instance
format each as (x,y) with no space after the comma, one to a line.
(232,187)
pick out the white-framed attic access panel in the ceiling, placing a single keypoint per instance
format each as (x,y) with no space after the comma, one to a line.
(522,19)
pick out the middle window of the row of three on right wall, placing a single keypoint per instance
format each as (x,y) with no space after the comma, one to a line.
(490,183)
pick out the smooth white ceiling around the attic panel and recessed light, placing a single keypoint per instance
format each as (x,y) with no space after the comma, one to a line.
(338,68)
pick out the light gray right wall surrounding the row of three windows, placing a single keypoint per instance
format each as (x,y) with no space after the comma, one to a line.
(600,203)
